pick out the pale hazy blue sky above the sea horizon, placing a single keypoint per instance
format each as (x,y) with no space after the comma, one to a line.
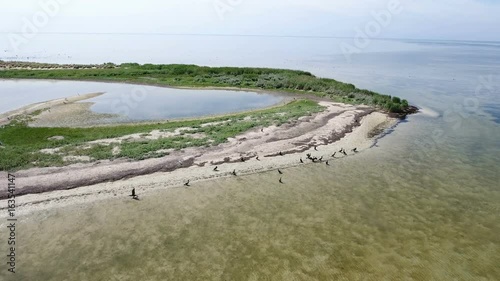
(413,19)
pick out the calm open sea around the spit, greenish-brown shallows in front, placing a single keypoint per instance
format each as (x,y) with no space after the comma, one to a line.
(423,204)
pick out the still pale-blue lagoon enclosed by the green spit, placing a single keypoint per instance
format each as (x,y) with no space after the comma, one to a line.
(135,102)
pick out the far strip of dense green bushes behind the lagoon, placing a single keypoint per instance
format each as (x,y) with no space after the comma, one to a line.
(201,76)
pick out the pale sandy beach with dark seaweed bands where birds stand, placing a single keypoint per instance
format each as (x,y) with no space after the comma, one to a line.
(339,126)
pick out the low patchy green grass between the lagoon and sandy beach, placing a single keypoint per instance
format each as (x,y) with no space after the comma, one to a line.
(22,144)
